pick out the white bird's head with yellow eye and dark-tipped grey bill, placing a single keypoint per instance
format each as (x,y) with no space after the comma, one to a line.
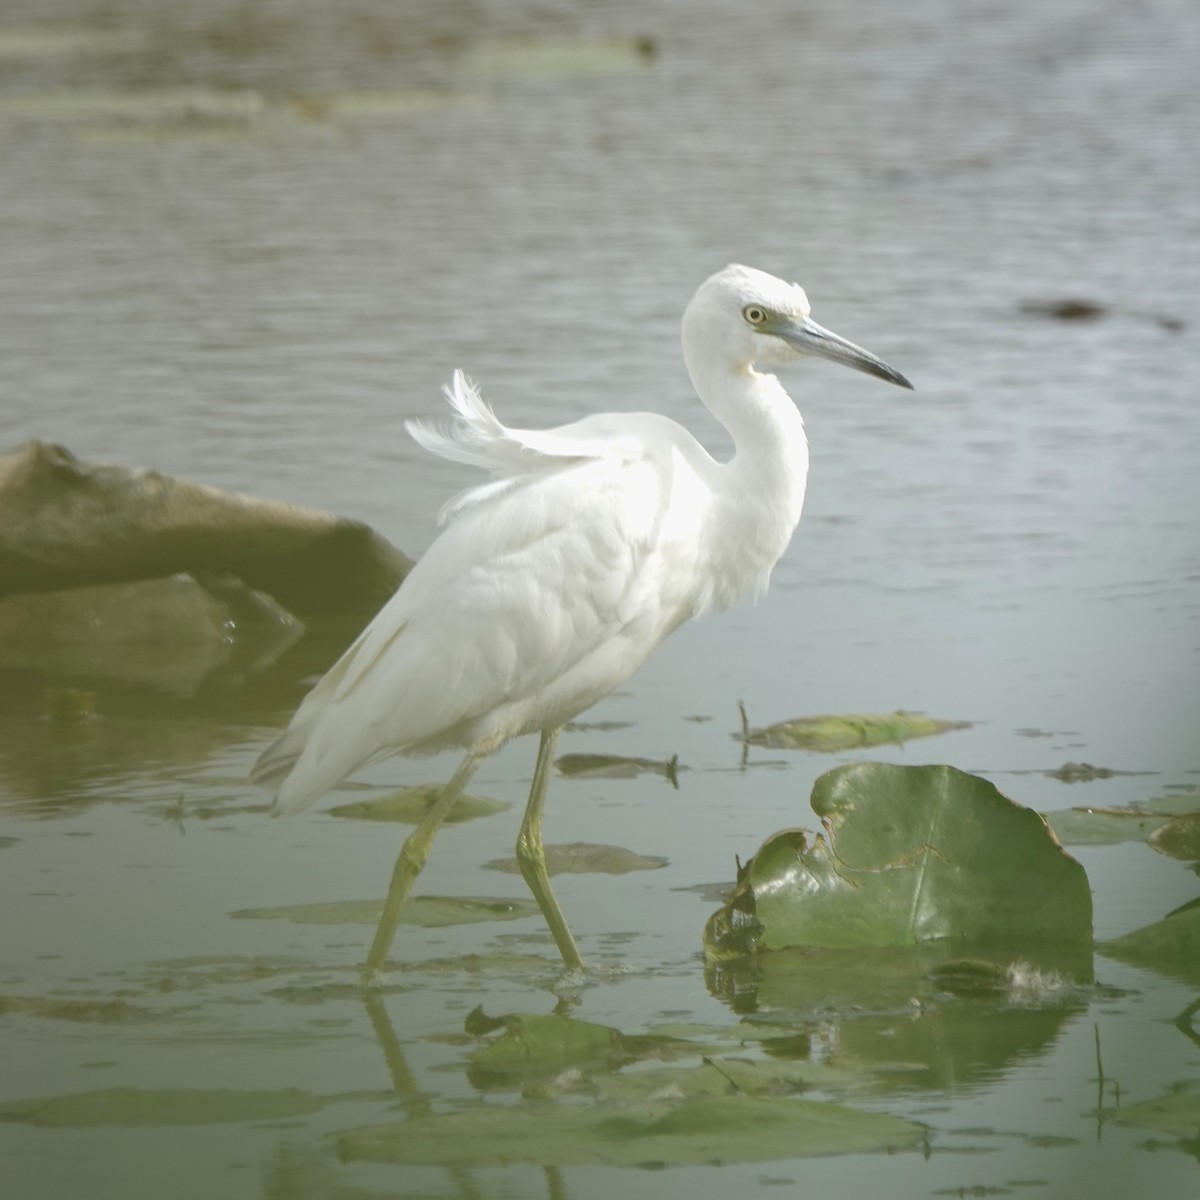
(753,317)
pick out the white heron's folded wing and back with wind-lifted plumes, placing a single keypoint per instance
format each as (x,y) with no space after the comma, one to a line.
(538,601)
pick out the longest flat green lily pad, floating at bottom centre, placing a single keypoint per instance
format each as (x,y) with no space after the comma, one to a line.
(730,1129)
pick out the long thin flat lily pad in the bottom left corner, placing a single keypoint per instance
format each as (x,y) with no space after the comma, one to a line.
(135,1108)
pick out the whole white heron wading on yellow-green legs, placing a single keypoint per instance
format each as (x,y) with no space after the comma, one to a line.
(554,584)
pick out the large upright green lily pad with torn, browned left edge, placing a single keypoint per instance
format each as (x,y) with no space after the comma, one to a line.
(910,855)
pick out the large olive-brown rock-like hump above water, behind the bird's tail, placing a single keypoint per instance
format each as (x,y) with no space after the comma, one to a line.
(68,524)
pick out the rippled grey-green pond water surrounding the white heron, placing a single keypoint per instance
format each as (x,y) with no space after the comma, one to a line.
(243,244)
